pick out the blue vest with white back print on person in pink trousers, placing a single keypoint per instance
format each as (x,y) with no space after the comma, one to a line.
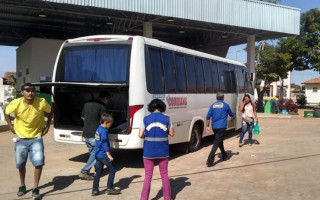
(156,144)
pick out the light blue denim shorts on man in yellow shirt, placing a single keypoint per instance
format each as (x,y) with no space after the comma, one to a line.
(34,147)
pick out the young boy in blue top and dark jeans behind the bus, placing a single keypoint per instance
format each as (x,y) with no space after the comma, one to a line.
(103,156)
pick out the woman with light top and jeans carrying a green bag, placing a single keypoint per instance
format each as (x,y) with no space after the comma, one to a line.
(249,115)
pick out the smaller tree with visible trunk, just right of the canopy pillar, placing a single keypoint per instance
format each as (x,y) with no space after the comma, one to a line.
(271,66)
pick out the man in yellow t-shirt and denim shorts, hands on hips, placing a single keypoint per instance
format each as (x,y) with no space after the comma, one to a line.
(29,128)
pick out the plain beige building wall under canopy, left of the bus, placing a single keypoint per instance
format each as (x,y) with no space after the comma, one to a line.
(35,58)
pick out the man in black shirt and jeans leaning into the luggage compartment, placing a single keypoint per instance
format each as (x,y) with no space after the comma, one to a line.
(91,114)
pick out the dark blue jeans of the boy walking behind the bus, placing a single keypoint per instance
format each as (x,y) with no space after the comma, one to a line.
(100,162)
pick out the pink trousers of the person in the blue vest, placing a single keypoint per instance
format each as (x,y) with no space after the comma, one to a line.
(163,168)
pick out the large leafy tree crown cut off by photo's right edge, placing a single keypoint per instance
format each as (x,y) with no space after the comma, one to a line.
(305,48)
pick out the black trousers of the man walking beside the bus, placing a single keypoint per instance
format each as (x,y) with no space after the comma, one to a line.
(217,142)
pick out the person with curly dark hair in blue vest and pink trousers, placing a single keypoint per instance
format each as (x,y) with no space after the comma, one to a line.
(155,130)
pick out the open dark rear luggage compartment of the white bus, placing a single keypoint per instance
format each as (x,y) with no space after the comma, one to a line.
(69,102)
